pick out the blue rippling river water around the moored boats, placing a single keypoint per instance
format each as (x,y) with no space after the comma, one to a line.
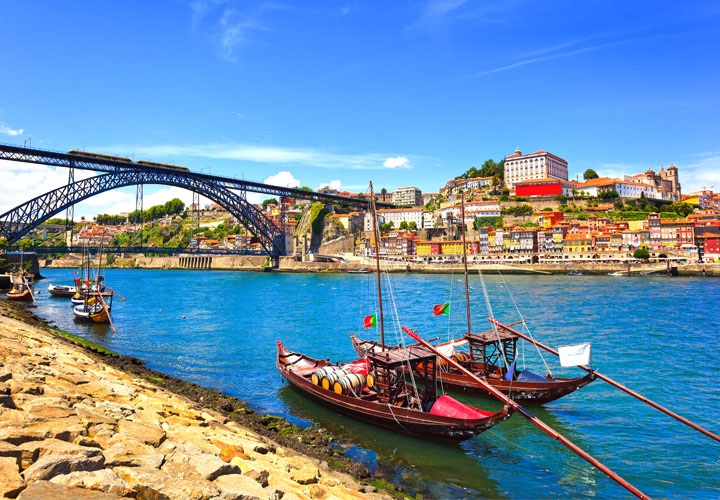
(659,336)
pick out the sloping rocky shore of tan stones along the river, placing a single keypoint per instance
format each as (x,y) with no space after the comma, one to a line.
(79,424)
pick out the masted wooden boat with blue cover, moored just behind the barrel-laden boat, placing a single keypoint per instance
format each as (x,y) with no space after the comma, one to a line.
(490,356)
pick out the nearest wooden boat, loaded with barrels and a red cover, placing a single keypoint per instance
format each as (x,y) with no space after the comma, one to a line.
(383,396)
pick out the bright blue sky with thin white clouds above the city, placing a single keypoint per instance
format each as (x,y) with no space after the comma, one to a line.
(341,93)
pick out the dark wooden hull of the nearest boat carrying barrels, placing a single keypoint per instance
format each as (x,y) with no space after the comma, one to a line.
(405,420)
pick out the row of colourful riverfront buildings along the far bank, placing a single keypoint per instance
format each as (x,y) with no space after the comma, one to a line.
(556,240)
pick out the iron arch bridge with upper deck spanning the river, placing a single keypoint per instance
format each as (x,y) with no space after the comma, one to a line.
(116,172)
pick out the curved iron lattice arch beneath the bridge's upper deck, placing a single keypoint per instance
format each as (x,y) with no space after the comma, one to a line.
(17,222)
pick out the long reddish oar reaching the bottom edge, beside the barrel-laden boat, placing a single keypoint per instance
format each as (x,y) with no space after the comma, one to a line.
(532,418)
